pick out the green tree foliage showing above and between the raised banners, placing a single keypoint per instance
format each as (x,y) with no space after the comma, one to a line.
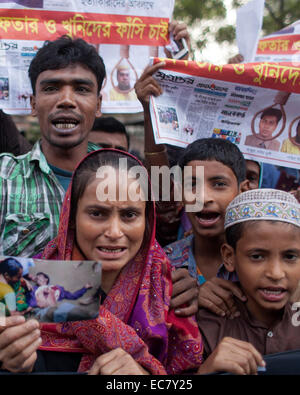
(278,14)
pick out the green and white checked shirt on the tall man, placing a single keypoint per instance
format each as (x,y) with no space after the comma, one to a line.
(30,202)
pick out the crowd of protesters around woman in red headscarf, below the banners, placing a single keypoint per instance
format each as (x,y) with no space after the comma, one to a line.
(183,292)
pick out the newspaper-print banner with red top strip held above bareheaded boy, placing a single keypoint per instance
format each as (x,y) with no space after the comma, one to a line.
(254,105)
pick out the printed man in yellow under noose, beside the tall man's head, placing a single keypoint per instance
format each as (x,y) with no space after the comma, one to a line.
(123,90)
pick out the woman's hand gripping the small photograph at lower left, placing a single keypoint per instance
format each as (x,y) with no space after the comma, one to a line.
(19,340)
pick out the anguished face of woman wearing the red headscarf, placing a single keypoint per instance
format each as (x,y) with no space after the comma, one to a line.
(111,231)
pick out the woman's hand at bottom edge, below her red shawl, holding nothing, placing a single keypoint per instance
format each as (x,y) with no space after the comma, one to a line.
(117,362)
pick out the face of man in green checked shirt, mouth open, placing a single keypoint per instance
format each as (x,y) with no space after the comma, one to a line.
(66,103)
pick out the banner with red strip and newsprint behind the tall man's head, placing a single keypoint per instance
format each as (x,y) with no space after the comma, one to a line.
(125,32)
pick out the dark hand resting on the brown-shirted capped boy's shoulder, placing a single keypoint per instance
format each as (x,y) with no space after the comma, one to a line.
(217,294)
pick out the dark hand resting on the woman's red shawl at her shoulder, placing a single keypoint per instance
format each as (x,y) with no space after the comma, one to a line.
(185,292)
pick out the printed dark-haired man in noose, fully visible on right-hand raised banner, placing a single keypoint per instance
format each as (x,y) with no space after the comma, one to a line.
(267,125)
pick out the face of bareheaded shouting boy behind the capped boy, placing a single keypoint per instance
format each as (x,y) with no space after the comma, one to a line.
(220,188)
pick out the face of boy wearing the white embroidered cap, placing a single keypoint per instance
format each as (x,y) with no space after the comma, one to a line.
(267,262)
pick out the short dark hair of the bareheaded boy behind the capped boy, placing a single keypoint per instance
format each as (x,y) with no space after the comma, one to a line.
(220,150)
